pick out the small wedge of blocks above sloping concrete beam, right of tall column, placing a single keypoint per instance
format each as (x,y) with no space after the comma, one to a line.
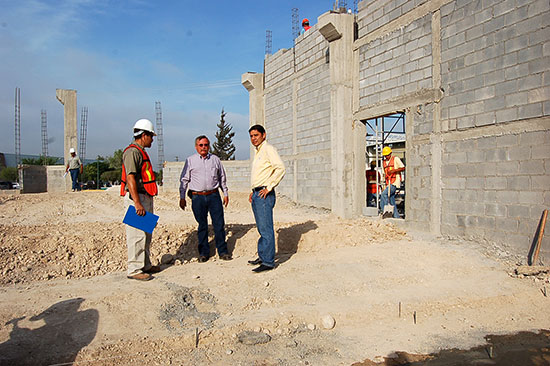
(374,14)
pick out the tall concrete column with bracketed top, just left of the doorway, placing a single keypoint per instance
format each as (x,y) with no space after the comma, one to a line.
(346,155)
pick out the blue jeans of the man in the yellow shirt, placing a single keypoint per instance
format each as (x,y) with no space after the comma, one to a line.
(263,214)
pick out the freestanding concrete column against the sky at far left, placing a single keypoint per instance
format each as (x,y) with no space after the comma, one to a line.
(68,99)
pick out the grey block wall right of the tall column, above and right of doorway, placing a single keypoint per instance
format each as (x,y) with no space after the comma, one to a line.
(478,156)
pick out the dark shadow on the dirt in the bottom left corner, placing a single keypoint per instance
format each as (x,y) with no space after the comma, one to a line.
(65,332)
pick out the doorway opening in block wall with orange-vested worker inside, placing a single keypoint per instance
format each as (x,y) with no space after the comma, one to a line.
(385,131)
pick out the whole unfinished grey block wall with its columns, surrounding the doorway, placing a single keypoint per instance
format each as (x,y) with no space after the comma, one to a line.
(473,78)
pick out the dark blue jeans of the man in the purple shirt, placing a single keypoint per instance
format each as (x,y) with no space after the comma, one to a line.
(201,205)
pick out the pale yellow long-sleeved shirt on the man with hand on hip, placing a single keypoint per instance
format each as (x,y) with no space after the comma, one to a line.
(267,167)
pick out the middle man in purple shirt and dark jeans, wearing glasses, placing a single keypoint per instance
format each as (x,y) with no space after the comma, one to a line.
(203,174)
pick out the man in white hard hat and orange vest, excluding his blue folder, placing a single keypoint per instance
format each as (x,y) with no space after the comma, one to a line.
(138,188)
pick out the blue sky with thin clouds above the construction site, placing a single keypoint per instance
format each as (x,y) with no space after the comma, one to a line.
(122,56)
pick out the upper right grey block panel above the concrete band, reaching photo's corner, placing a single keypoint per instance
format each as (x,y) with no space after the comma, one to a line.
(495,57)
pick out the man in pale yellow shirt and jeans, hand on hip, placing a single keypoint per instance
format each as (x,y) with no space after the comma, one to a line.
(267,171)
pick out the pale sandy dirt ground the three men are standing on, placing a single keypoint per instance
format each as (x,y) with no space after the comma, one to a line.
(390,291)
